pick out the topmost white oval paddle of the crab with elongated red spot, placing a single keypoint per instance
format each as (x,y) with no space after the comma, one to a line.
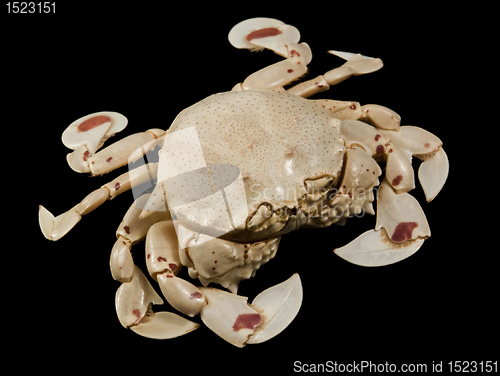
(259,33)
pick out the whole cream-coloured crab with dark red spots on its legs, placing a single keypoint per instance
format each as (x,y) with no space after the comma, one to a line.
(238,170)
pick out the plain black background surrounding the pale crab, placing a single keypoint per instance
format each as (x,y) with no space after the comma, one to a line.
(149,62)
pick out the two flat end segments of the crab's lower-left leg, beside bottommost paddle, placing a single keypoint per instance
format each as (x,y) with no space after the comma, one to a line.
(133,306)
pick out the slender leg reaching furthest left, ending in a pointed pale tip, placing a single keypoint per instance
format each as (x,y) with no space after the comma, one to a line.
(54,228)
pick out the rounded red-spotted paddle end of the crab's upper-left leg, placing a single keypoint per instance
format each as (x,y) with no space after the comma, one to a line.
(87,134)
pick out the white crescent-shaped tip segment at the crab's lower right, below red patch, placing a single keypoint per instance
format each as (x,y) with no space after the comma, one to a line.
(373,248)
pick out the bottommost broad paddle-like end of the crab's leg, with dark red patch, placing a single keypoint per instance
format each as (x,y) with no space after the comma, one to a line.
(234,320)
